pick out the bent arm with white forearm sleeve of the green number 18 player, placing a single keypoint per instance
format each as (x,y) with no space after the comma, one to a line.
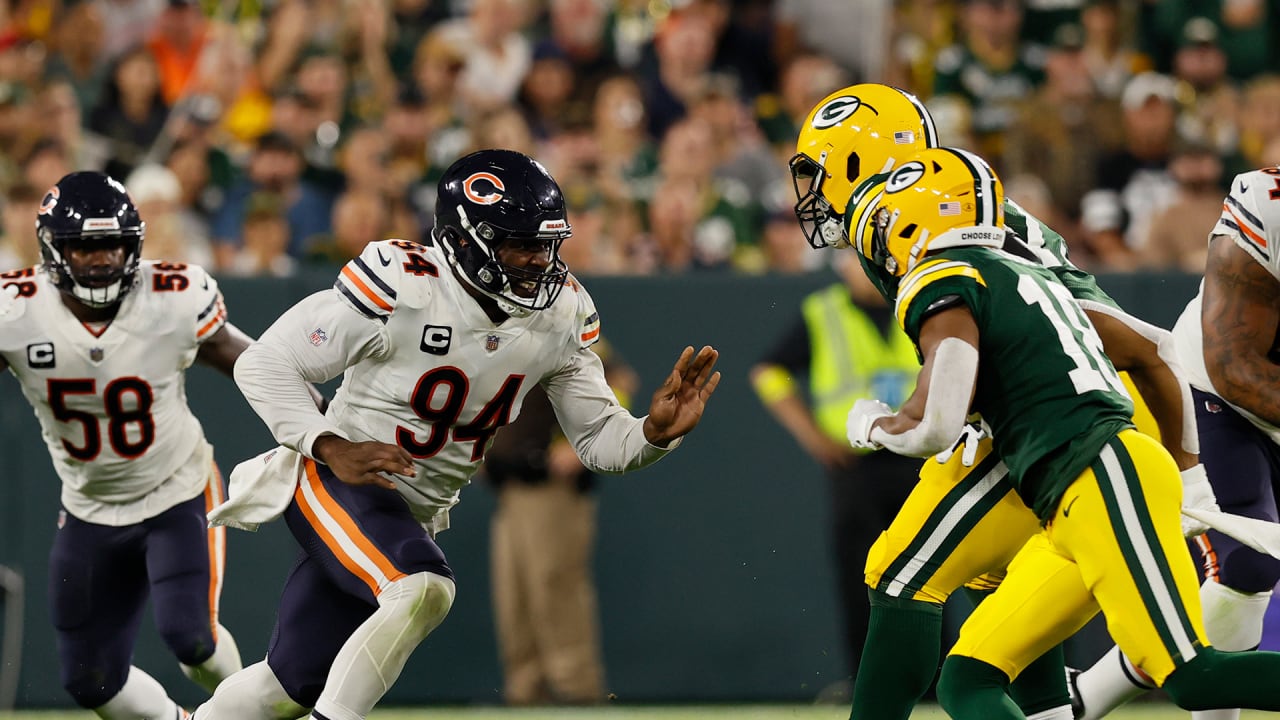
(932,420)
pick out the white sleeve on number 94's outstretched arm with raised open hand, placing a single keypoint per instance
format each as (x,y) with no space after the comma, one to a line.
(606,436)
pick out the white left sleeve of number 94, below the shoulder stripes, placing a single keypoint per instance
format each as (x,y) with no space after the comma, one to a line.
(312,343)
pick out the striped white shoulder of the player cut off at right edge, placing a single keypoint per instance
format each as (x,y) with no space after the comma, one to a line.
(1251,215)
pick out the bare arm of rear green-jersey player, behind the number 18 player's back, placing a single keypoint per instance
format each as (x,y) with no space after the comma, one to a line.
(1148,354)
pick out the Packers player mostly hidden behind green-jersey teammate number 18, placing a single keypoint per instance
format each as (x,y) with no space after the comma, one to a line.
(963,522)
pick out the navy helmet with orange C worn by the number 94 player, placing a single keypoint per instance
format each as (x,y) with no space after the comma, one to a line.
(496,197)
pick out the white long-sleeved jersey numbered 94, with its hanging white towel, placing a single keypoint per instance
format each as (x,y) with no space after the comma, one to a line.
(424,368)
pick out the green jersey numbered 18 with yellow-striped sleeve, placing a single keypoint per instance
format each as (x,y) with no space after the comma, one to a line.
(1046,389)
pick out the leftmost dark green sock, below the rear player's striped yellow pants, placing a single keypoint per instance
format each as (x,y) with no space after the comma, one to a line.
(900,658)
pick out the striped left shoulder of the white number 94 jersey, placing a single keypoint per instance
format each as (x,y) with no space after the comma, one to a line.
(372,284)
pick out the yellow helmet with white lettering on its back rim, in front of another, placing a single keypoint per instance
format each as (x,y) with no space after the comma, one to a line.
(940,198)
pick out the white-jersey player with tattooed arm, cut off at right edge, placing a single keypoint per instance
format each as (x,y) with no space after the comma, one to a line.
(1227,344)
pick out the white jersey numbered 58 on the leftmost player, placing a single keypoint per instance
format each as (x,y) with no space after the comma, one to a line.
(112,402)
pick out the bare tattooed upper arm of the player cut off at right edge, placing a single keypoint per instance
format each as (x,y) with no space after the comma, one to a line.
(1240,318)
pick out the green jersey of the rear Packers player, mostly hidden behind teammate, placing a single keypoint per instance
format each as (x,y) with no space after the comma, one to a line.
(1030,239)
